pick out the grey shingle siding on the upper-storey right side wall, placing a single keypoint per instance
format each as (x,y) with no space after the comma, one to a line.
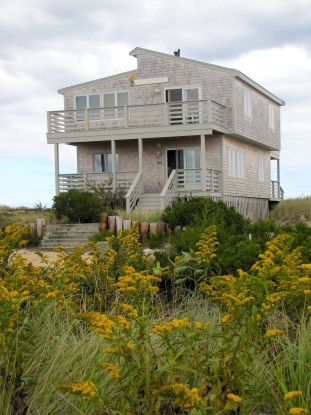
(256,127)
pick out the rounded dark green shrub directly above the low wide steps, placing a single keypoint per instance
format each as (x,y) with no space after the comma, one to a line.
(78,206)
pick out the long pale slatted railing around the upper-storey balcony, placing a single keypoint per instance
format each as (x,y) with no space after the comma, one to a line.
(151,115)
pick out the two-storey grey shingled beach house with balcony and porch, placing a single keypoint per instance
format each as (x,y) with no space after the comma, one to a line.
(173,127)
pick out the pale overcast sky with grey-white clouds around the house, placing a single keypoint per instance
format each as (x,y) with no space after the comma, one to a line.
(49,44)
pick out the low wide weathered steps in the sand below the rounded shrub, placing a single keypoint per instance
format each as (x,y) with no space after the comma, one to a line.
(68,236)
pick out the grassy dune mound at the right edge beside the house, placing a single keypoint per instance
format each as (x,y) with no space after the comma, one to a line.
(290,211)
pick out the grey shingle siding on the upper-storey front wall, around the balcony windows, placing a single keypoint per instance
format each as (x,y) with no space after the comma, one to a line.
(215,84)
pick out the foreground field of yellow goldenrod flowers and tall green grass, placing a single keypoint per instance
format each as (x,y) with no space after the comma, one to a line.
(116,334)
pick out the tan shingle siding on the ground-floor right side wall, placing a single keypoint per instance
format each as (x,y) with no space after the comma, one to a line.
(249,185)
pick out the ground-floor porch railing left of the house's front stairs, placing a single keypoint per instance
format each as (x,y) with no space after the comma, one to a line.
(84,181)
